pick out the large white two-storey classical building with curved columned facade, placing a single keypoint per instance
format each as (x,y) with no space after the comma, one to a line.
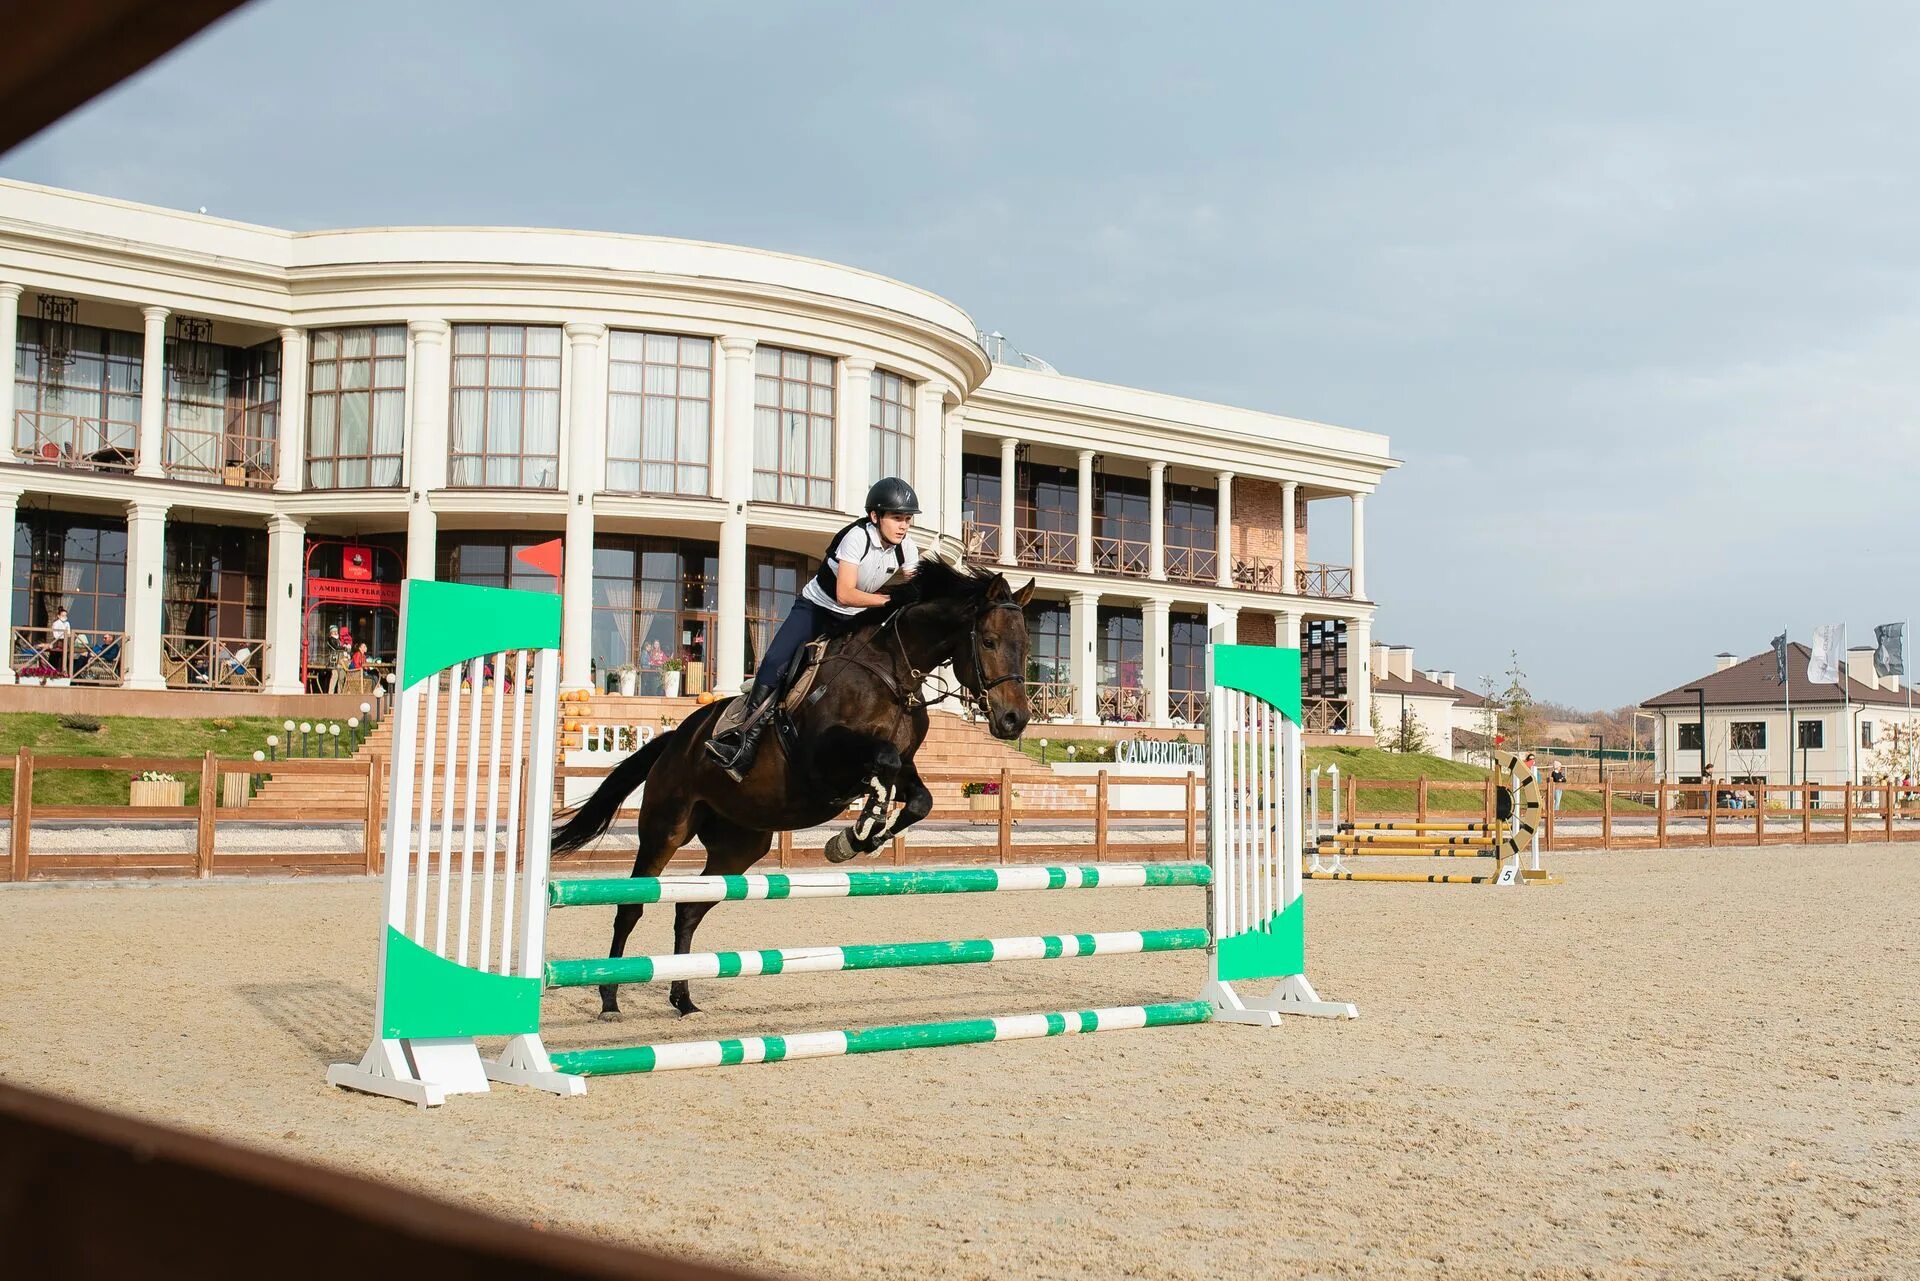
(231,443)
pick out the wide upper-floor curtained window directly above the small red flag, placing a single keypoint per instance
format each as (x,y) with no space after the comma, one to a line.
(506,406)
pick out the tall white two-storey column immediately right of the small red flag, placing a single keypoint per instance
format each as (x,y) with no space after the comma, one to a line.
(587,475)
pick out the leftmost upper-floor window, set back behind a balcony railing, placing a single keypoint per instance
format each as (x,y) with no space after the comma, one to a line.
(78,406)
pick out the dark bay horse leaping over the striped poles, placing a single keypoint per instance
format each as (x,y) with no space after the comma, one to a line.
(853,738)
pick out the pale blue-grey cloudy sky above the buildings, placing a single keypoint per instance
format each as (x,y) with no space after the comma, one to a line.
(1631,287)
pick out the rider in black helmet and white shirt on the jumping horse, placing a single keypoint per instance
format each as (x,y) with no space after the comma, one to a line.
(859,560)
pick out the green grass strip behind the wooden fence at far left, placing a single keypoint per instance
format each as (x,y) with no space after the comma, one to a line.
(122,737)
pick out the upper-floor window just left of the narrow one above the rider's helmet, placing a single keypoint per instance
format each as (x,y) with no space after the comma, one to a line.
(792,427)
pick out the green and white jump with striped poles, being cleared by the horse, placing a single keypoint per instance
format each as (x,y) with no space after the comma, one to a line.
(435,1003)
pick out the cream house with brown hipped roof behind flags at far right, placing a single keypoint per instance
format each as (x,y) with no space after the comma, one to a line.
(1842,733)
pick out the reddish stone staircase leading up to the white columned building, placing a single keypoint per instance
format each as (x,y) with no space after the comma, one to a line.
(955,752)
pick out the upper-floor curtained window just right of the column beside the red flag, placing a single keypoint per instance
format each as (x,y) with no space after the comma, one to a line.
(660,414)
